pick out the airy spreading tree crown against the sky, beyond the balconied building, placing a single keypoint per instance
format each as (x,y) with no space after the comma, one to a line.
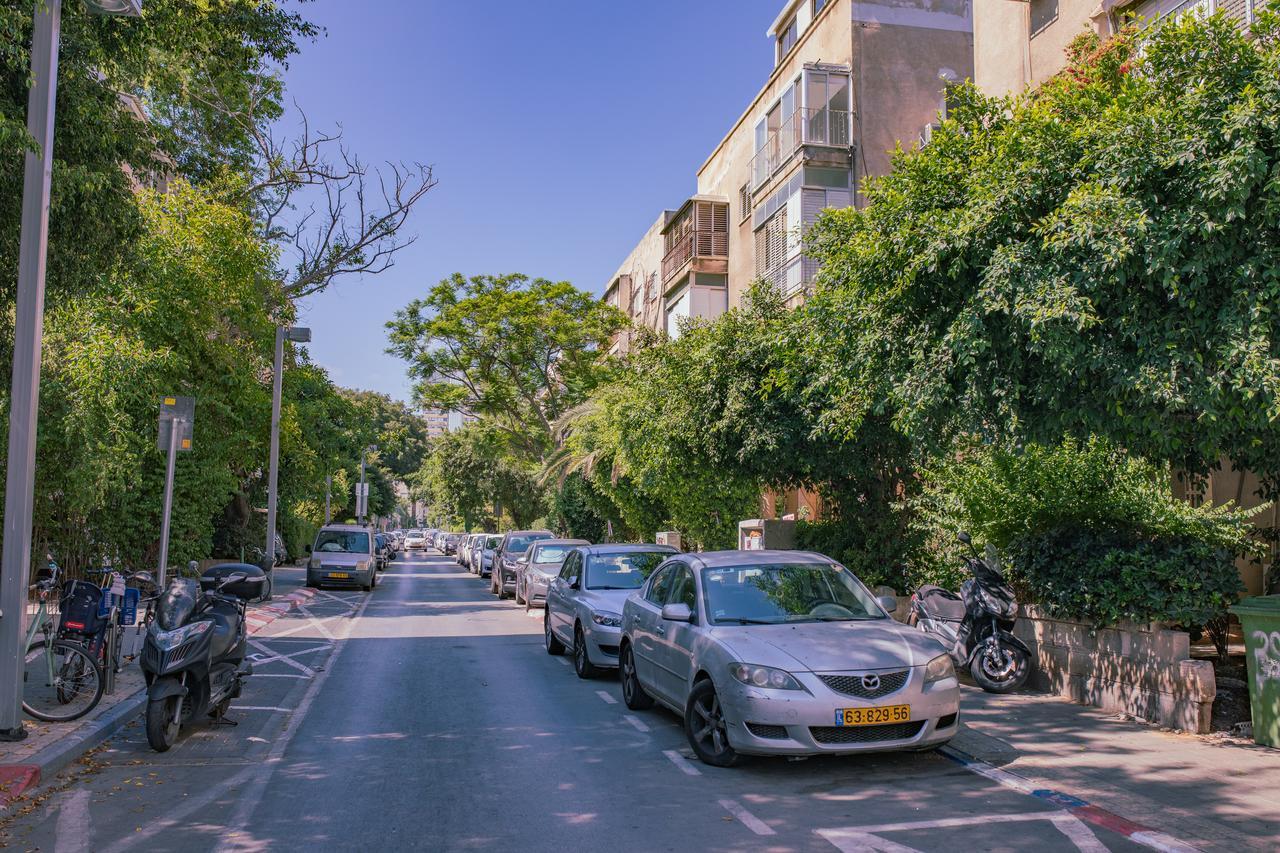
(513,350)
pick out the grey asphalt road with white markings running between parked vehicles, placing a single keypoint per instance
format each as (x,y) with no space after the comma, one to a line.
(428,717)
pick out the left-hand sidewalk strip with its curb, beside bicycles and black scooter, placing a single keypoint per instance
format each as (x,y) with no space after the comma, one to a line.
(51,747)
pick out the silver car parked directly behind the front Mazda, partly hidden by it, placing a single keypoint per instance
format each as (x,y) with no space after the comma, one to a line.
(584,601)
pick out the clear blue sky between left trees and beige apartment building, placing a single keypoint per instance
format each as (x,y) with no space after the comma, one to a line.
(559,130)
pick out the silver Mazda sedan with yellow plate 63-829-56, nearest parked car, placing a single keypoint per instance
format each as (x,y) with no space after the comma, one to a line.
(783,653)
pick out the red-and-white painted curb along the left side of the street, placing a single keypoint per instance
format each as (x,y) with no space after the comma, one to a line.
(20,781)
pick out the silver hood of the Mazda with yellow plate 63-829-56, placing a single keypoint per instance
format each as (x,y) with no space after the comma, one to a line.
(831,647)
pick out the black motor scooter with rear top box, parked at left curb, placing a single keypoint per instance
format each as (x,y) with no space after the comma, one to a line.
(195,649)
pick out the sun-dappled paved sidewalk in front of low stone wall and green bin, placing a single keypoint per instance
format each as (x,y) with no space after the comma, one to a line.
(1214,792)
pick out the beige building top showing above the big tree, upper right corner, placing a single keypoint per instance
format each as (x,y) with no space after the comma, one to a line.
(1020,44)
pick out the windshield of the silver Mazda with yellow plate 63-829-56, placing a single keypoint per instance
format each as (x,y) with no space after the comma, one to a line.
(779,594)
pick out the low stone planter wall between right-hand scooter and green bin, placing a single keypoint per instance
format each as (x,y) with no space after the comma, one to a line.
(1142,670)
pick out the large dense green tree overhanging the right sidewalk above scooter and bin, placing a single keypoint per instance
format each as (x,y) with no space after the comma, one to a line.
(1099,257)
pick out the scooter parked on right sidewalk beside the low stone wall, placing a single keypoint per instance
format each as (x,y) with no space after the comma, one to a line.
(977,626)
